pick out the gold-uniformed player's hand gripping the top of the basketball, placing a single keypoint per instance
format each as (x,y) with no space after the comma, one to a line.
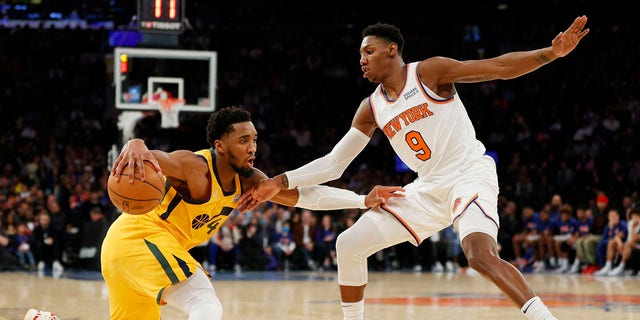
(134,154)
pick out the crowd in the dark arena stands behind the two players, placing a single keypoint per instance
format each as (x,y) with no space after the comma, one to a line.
(563,139)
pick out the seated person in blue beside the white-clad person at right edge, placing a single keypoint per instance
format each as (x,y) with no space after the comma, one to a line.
(613,239)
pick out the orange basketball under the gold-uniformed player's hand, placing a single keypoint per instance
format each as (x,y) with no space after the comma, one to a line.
(140,196)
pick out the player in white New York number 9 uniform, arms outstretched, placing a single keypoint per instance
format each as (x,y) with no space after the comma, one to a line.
(417,107)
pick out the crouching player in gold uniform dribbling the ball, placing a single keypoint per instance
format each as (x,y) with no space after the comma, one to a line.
(145,258)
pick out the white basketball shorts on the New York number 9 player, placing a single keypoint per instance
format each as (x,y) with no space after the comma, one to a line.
(467,199)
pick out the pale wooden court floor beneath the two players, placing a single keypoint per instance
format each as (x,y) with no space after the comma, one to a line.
(314,296)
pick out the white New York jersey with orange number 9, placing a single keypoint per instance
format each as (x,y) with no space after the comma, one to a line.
(433,136)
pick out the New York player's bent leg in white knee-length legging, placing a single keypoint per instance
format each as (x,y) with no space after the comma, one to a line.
(353,247)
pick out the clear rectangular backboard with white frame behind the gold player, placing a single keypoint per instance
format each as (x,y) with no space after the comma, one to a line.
(142,74)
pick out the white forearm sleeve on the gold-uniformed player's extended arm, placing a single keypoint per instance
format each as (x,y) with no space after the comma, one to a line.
(328,198)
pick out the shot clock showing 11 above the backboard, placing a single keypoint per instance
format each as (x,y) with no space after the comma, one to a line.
(164,16)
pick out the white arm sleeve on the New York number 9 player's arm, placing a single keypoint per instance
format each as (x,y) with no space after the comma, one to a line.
(332,165)
